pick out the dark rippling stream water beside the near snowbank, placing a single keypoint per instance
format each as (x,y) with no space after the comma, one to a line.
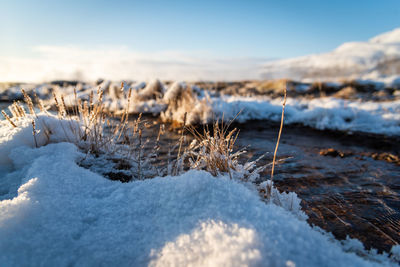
(346,192)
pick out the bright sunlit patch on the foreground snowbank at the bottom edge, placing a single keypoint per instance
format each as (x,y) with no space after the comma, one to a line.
(212,244)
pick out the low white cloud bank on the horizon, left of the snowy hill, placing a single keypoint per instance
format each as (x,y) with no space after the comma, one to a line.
(119,63)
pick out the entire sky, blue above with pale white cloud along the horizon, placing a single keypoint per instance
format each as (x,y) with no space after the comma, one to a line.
(149,39)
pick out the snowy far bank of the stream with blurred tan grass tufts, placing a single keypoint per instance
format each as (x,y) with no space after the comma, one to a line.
(173,101)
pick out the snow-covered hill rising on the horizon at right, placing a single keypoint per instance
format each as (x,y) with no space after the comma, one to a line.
(378,59)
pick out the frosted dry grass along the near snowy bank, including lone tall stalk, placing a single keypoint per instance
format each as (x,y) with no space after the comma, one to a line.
(101,133)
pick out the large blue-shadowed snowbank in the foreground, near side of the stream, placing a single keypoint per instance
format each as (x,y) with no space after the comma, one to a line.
(54,212)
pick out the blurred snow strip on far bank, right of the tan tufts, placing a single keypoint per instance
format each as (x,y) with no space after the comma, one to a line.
(322,113)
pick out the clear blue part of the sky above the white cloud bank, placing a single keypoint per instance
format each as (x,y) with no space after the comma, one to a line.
(271,29)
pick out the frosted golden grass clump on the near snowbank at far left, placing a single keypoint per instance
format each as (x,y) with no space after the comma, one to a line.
(88,125)
